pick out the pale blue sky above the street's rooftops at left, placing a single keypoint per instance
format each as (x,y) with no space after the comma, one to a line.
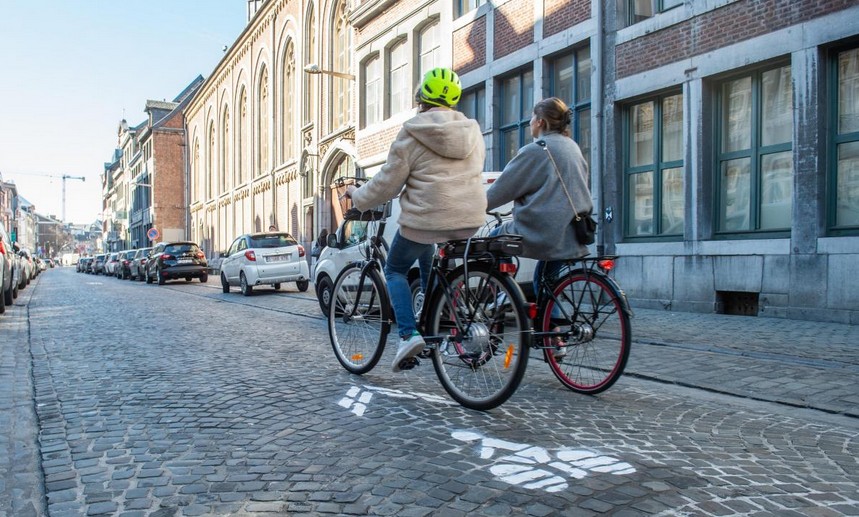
(71,70)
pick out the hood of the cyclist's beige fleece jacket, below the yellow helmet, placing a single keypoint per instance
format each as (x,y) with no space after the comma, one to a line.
(447,133)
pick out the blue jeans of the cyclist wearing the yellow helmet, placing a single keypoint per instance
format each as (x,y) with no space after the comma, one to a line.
(401,255)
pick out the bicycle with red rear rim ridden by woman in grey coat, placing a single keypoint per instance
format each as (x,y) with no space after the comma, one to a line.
(587,341)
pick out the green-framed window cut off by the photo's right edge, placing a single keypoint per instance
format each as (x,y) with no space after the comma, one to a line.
(843,202)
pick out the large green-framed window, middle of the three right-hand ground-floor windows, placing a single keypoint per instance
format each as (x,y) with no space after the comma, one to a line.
(754,157)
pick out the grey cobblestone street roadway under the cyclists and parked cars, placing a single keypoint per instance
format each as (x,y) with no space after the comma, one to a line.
(177,400)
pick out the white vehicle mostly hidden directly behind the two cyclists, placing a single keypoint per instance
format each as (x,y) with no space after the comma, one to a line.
(348,244)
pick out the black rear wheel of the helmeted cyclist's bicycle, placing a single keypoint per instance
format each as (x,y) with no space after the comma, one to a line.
(487,334)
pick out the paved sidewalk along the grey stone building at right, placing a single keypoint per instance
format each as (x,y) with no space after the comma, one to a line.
(798,363)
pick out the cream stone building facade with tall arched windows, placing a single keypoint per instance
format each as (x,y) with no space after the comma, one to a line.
(265,137)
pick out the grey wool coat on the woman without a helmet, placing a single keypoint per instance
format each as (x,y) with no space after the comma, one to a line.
(541,211)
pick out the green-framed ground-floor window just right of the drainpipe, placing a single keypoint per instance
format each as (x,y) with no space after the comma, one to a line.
(654,172)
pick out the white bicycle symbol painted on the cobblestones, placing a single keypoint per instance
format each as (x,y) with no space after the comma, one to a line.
(529,466)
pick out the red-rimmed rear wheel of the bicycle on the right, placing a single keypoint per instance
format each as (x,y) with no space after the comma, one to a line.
(598,345)
